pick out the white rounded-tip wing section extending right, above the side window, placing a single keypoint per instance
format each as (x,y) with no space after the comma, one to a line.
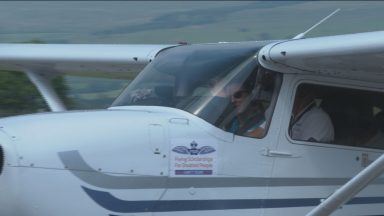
(352,56)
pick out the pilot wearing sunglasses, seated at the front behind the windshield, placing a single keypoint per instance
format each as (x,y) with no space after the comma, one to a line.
(249,119)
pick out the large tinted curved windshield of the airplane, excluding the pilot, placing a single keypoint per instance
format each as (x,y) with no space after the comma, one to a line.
(205,80)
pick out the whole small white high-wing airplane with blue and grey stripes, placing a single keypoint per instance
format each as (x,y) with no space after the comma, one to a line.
(167,145)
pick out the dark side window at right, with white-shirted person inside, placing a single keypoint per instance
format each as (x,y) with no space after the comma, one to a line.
(337,115)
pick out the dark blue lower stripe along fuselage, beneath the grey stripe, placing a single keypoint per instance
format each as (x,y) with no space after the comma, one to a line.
(111,203)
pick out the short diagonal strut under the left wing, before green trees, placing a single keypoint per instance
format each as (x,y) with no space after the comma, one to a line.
(46,90)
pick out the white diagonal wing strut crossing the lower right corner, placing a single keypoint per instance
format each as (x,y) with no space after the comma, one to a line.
(350,189)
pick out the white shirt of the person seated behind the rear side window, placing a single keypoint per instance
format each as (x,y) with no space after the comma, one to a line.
(313,124)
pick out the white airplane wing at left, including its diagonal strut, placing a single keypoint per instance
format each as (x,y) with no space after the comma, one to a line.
(41,61)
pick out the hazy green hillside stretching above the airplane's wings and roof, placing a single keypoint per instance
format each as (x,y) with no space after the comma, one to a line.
(173,21)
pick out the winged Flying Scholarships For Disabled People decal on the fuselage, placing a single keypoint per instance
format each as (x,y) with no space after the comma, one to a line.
(193,157)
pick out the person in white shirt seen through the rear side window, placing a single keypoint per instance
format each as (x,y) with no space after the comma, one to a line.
(310,122)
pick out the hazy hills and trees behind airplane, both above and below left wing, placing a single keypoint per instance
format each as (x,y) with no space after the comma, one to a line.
(157,22)
